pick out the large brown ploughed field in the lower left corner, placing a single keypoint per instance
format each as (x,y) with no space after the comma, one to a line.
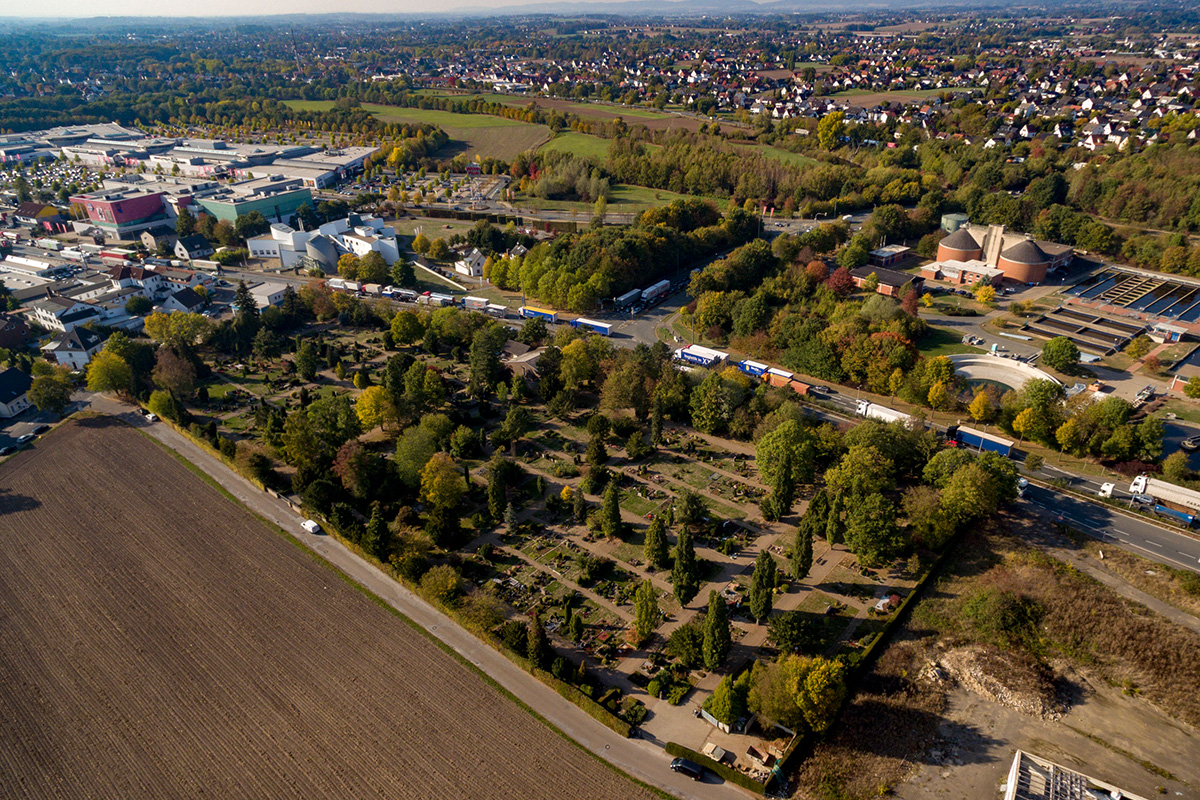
(157,641)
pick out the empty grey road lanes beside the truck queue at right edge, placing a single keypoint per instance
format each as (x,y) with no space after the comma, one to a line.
(1107,525)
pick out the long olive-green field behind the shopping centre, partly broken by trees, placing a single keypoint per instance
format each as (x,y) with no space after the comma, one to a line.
(473,134)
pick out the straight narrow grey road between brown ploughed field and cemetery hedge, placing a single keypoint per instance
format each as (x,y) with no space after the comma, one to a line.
(640,759)
